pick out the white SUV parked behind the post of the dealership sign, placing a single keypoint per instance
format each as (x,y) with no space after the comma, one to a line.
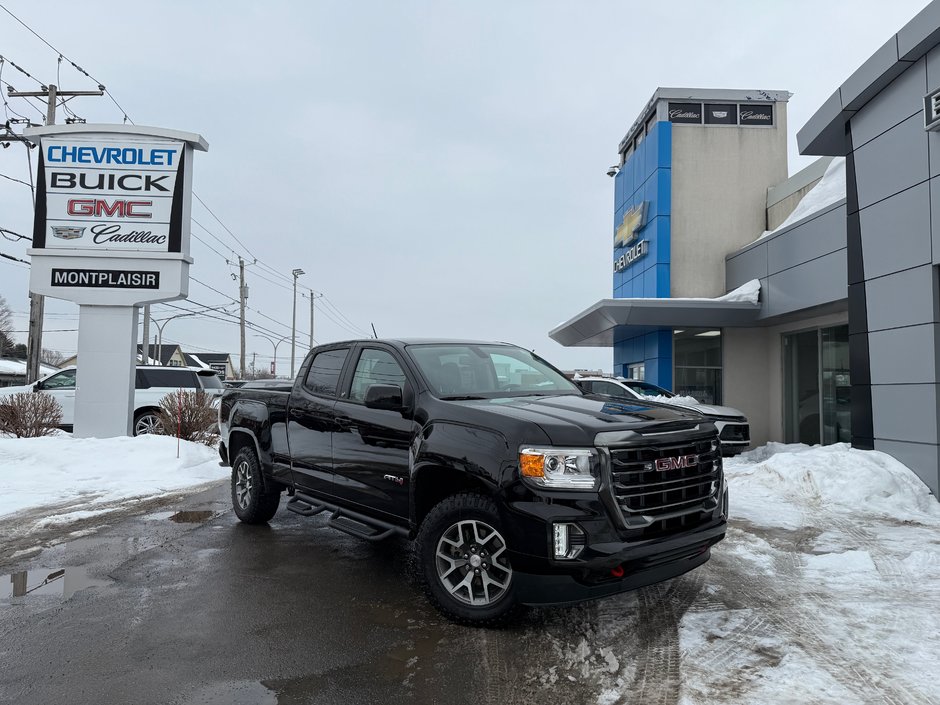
(152,384)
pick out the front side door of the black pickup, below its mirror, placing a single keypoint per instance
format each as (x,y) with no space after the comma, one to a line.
(371,446)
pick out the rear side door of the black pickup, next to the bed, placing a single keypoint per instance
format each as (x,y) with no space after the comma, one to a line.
(310,422)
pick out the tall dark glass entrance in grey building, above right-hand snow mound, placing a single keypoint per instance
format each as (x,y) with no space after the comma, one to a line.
(817,386)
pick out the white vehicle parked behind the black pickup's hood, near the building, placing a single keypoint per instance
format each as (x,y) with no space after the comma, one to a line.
(733,428)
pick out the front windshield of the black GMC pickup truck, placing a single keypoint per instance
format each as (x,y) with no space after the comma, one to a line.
(487,371)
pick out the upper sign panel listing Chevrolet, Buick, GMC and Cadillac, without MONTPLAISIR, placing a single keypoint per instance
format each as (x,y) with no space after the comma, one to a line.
(124,196)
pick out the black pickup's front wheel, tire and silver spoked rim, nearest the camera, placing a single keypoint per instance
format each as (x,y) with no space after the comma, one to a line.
(463,561)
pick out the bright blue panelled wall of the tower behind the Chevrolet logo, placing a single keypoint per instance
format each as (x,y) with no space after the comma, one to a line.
(646,176)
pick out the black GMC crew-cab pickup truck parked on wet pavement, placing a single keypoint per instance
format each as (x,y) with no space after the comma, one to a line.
(516,487)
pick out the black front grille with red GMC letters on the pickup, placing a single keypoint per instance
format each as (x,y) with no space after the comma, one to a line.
(668,488)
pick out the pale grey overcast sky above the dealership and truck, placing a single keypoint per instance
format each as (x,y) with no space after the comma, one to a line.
(436,168)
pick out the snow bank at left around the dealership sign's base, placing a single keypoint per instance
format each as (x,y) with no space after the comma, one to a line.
(91,475)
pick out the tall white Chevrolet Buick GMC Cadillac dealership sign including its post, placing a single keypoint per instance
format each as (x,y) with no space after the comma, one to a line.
(111,233)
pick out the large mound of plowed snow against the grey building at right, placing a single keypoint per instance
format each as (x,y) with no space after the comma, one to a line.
(837,477)
